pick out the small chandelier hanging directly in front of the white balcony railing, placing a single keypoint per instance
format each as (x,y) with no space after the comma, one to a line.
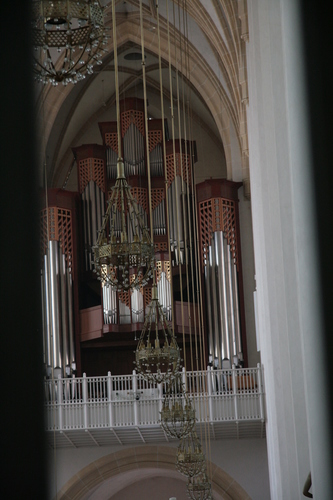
(177,414)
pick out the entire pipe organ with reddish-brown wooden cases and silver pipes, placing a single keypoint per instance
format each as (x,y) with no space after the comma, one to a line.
(90,326)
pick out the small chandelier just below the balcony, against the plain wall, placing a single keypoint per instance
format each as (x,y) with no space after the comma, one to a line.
(190,459)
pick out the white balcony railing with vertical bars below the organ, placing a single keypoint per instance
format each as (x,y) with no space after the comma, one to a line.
(231,401)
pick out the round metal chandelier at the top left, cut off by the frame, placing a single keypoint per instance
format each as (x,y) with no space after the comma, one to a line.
(68,37)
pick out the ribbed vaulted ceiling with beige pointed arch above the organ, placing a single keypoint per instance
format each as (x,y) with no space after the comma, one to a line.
(203,53)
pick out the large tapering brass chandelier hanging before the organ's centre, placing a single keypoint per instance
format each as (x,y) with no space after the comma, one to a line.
(126,259)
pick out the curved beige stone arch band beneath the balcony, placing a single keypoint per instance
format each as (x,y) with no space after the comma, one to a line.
(152,459)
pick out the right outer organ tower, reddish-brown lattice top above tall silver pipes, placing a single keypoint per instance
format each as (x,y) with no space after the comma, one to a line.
(221,267)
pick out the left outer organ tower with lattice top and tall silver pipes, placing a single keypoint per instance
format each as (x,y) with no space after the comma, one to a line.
(59,290)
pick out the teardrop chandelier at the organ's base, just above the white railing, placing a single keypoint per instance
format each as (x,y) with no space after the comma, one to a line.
(157,356)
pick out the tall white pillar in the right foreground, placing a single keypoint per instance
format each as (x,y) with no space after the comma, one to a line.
(285,252)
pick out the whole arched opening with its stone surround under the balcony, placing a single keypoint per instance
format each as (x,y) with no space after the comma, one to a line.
(142,469)
